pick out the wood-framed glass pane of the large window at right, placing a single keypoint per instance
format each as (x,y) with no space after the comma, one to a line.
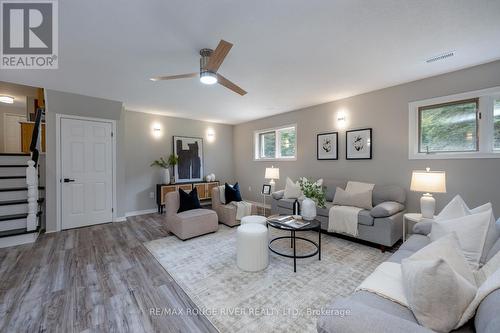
(449,127)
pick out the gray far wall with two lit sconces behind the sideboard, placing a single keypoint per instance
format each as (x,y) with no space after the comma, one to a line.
(142,148)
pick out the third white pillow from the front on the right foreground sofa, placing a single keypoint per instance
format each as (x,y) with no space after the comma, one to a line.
(471,233)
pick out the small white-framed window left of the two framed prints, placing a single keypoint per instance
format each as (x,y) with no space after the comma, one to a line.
(276,143)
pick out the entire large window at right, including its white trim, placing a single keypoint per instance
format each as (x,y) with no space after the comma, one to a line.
(460,126)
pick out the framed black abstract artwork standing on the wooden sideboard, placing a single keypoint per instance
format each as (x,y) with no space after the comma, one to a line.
(190,153)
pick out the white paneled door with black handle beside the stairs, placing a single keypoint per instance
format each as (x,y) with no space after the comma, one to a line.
(87,172)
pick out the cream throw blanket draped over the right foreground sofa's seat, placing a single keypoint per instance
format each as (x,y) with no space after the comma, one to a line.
(387,282)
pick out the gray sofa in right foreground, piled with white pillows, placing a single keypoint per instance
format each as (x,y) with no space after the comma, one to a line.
(372,313)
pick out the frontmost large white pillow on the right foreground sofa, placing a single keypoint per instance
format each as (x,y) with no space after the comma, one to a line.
(437,295)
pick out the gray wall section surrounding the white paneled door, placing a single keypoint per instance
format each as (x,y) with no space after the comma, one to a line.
(72,104)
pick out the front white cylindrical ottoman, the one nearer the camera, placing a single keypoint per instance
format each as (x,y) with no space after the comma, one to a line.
(252,253)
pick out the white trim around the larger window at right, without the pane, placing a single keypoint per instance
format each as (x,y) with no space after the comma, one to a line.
(485,128)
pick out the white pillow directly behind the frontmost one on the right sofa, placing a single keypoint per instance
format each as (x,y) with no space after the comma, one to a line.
(448,249)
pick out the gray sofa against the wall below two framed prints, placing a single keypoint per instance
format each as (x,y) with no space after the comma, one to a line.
(382,225)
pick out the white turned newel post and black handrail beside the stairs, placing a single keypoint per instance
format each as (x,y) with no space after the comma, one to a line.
(32,173)
